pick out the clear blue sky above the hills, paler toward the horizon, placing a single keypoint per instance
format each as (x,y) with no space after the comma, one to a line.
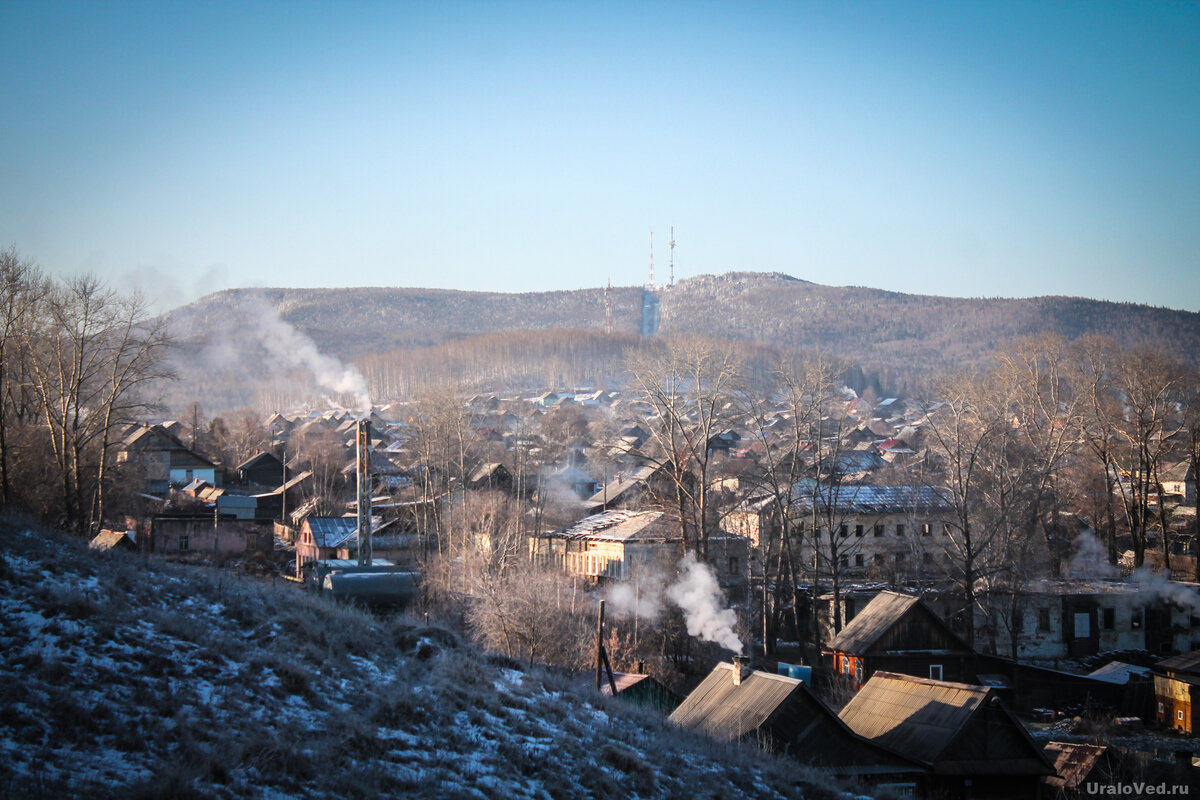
(970,149)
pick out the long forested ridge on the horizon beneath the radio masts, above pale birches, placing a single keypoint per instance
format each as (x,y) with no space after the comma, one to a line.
(878,329)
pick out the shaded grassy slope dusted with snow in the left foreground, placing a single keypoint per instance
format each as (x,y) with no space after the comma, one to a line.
(124,677)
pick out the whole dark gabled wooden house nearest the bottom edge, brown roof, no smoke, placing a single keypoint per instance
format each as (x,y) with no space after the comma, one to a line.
(964,737)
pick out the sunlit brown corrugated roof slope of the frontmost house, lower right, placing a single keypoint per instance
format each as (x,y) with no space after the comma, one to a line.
(914,717)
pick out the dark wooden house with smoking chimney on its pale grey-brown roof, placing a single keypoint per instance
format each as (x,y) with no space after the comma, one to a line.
(784,717)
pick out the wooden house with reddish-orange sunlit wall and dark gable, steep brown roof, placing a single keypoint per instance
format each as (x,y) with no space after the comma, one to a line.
(899,634)
